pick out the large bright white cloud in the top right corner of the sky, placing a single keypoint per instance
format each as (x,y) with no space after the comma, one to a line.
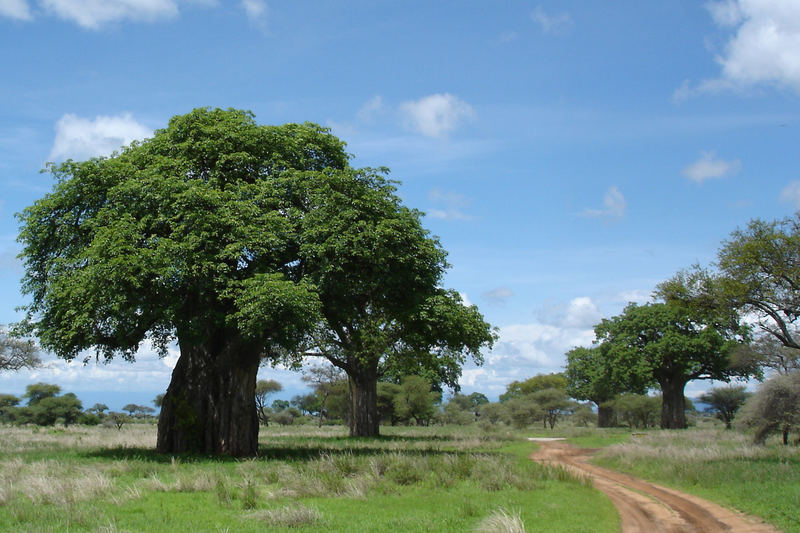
(765,47)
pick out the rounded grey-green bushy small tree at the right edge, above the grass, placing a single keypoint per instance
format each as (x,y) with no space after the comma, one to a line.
(774,408)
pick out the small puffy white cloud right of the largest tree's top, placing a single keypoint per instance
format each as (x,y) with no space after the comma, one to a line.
(436,115)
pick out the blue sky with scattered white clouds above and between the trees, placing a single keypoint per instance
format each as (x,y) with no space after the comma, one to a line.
(569,155)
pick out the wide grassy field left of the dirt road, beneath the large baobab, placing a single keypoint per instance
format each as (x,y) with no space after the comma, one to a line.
(306,479)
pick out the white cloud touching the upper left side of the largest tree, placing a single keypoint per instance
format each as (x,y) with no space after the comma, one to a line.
(81,138)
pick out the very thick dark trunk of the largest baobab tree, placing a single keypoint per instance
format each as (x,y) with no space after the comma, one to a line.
(210,405)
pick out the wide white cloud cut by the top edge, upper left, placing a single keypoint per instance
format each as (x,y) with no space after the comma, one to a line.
(94,13)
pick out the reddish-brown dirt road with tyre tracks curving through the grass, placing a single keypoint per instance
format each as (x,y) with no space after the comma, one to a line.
(646,507)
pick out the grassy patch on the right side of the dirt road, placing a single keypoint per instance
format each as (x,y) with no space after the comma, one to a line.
(719,465)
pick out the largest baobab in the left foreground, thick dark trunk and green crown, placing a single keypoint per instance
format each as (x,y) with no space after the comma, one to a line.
(191,235)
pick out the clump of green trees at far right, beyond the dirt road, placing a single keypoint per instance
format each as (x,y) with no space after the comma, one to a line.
(735,320)
